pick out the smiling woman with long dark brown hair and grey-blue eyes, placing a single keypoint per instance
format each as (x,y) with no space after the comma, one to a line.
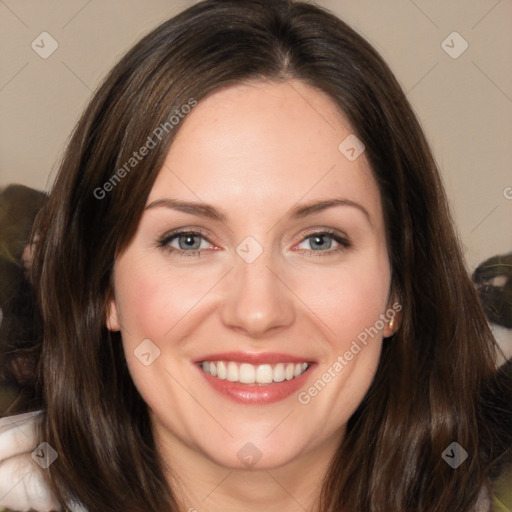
(249,278)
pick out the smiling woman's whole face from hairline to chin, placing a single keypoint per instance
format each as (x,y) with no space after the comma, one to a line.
(273,280)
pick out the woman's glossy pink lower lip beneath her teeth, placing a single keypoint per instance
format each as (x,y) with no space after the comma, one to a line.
(254,394)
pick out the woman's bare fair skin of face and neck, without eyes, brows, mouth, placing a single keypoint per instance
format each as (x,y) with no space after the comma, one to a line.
(255,151)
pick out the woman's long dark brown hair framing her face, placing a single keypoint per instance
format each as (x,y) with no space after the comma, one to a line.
(426,393)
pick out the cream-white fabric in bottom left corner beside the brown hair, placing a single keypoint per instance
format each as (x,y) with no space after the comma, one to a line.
(22,485)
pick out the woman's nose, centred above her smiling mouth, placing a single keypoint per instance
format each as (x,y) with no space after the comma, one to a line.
(257,298)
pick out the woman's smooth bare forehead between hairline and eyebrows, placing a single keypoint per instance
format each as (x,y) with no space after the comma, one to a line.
(265,145)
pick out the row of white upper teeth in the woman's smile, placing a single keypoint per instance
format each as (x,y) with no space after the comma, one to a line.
(249,374)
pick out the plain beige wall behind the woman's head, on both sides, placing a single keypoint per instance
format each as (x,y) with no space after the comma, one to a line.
(464,104)
